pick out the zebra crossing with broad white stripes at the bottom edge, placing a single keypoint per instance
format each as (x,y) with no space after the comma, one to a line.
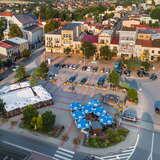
(63,154)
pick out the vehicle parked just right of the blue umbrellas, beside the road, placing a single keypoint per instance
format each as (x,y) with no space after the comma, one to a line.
(129,115)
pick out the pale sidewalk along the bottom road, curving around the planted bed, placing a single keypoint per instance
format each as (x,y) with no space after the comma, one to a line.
(130,141)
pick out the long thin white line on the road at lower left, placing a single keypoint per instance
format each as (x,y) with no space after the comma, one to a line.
(27,149)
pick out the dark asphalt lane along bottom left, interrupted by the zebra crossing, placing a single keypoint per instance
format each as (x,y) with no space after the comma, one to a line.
(33,145)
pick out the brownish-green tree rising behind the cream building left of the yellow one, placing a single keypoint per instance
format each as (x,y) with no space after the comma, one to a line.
(51,26)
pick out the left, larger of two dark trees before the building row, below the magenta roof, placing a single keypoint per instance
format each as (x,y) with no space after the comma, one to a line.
(88,49)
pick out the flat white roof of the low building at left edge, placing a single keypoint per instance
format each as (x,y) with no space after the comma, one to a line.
(20,95)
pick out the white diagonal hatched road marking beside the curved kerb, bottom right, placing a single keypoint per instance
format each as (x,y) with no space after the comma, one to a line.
(122,155)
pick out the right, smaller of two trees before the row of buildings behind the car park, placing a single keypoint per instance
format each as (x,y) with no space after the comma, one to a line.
(106,53)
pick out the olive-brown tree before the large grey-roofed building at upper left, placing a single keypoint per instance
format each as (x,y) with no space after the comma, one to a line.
(15,31)
